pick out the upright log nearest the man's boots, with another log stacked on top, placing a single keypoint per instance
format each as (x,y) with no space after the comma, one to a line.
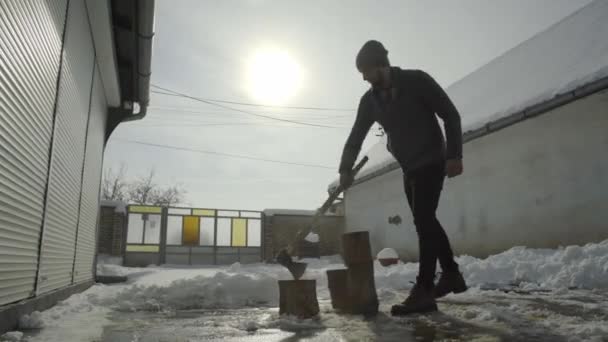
(362,289)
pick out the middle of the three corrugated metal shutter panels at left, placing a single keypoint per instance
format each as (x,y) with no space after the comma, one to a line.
(63,196)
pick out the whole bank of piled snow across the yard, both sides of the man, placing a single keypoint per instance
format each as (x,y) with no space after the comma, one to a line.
(239,285)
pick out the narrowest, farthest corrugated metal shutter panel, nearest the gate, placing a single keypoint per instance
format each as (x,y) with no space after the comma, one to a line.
(89,207)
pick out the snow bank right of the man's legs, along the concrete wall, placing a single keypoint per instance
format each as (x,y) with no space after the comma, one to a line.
(583,267)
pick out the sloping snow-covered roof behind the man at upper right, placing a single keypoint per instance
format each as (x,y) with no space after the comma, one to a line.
(533,77)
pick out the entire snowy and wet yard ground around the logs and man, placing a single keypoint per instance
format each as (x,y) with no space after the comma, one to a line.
(519,295)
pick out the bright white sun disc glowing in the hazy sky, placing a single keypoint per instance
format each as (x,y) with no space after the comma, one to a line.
(273,76)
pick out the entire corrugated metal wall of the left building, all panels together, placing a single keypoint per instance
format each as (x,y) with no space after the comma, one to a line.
(52,124)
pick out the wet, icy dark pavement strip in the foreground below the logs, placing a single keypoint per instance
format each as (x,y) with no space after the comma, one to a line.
(495,317)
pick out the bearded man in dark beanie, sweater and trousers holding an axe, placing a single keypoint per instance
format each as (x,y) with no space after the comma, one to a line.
(406,104)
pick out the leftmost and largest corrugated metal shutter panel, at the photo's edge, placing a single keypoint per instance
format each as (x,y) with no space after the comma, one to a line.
(30,53)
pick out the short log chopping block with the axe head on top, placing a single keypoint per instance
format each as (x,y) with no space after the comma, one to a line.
(298,298)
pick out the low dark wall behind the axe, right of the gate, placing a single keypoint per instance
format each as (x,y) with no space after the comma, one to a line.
(279,231)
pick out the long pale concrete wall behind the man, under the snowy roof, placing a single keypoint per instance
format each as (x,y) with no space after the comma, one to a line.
(540,183)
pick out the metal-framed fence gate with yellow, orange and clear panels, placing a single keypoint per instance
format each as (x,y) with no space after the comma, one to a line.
(190,236)
